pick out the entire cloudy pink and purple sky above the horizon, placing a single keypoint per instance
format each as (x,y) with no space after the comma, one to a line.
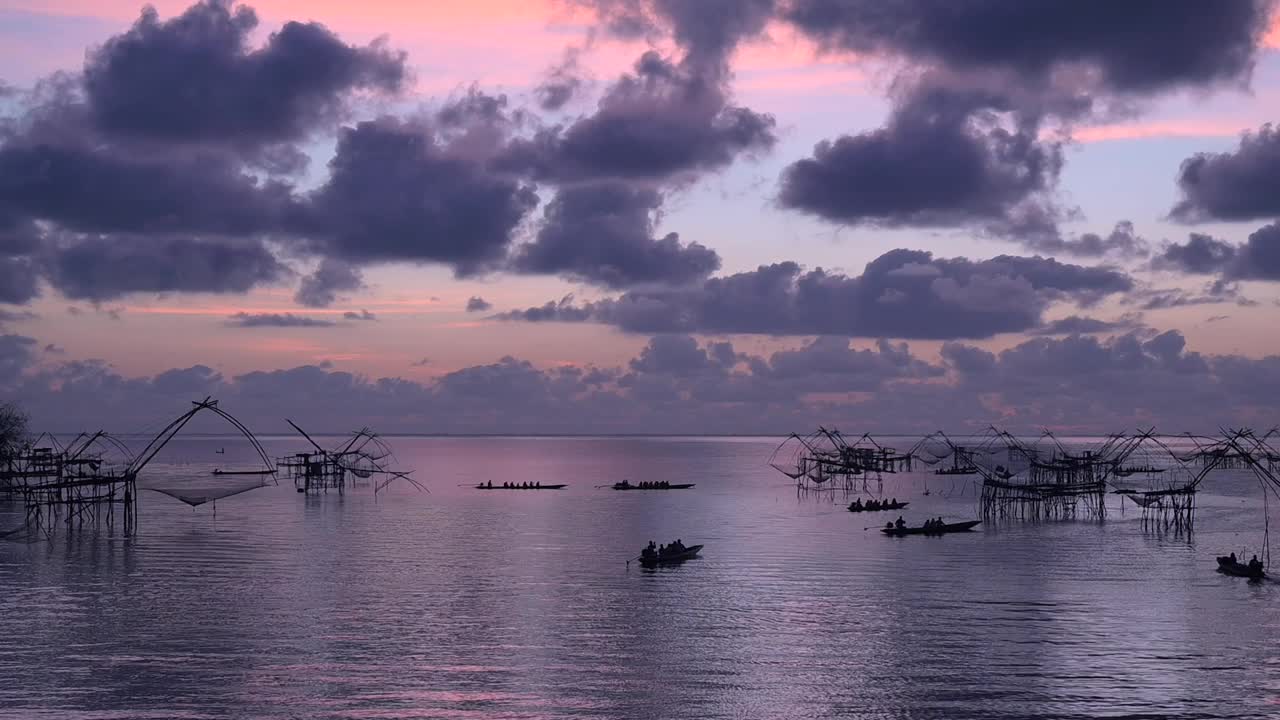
(642,217)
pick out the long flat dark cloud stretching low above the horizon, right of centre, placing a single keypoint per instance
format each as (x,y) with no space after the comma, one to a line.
(903,294)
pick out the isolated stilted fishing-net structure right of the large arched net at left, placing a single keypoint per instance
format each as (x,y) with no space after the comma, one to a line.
(362,458)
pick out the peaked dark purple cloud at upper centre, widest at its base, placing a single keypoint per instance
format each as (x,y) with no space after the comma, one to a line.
(661,122)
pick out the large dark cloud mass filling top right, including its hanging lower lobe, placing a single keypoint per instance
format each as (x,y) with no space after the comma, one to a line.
(984,81)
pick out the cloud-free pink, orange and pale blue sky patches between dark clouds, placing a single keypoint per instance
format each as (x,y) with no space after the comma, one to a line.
(508,45)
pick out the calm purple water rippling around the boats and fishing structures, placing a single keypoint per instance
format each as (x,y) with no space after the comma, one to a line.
(465,604)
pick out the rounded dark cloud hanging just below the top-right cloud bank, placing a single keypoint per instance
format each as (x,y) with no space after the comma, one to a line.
(945,158)
